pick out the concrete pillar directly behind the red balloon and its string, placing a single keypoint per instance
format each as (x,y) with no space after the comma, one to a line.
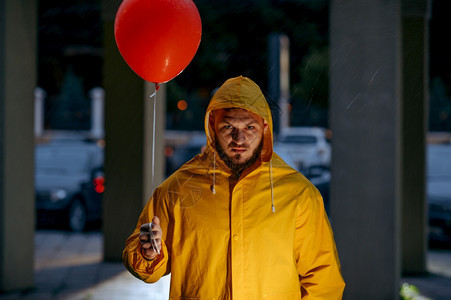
(128,128)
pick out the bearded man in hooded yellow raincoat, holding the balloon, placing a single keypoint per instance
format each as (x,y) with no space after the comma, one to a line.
(236,222)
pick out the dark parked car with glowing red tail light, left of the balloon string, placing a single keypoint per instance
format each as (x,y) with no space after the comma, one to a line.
(69,183)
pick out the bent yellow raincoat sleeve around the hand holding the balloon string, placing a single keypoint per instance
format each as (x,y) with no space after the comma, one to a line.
(134,261)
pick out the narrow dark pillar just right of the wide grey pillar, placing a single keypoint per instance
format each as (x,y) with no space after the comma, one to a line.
(415,16)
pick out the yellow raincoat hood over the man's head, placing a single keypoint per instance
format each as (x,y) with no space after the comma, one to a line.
(242,92)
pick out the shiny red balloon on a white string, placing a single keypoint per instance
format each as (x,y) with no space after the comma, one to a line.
(158,38)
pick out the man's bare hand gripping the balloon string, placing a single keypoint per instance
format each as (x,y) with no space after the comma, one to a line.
(151,247)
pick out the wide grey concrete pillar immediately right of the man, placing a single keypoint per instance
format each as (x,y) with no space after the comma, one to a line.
(365,98)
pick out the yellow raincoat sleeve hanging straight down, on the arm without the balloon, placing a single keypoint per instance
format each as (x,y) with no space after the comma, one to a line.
(315,250)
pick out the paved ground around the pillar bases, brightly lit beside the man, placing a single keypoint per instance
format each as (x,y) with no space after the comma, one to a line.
(69,266)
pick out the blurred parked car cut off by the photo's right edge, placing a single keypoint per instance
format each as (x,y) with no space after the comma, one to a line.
(439,191)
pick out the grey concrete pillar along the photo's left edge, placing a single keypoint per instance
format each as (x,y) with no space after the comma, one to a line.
(18,23)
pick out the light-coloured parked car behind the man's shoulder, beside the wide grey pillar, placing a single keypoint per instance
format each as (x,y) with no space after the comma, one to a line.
(307,146)
